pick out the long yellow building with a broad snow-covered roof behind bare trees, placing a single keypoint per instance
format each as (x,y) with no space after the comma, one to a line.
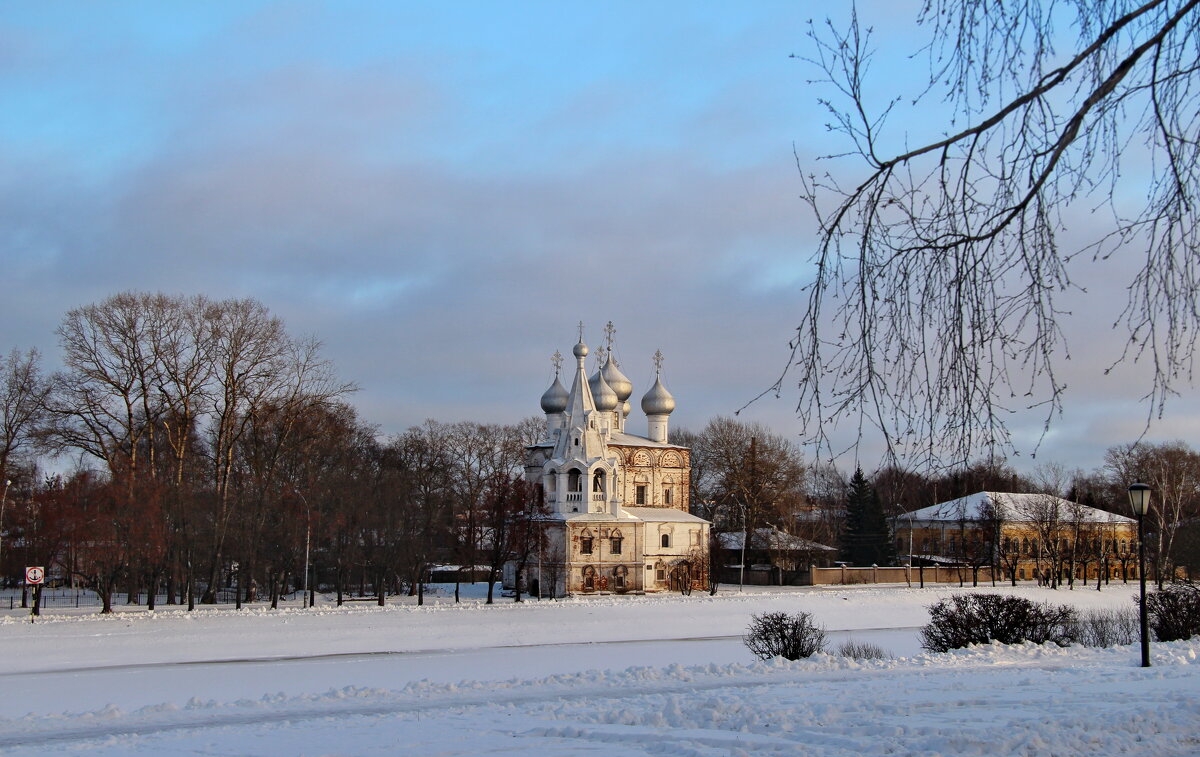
(1025,537)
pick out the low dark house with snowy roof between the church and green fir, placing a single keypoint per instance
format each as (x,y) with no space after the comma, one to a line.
(771,556)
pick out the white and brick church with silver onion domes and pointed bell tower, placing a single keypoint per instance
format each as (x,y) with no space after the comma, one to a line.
(619,502)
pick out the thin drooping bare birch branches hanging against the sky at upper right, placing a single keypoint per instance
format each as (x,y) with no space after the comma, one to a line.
(935,313)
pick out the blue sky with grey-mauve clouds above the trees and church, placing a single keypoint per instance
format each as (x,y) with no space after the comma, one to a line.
(440,193)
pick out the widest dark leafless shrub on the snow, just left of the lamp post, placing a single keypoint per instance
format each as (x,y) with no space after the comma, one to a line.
(982,618)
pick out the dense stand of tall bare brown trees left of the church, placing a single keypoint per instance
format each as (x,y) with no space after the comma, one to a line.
(219,460)
